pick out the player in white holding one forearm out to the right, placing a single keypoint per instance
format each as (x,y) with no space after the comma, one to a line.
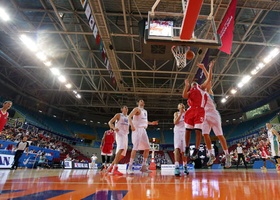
(140,139)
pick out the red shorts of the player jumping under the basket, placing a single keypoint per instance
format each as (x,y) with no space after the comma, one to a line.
(194,118)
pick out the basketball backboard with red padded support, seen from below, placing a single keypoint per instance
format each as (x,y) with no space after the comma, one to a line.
(189,28)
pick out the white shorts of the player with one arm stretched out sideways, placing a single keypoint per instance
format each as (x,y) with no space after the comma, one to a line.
(140,139)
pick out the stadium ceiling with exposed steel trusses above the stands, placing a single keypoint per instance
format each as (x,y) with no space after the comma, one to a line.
(62,30)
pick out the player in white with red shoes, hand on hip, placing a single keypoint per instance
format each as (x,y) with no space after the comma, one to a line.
(121,129)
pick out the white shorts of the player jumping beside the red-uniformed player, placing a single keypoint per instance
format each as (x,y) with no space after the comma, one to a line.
(212,121)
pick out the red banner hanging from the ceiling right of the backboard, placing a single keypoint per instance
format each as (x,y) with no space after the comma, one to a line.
(226,28)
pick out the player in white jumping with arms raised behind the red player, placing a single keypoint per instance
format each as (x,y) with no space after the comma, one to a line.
(213,121)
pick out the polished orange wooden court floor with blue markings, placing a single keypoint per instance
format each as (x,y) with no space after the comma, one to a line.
(26,184)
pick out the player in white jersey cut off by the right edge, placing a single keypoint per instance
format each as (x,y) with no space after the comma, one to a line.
(273,137)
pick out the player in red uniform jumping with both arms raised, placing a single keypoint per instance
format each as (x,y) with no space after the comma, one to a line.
(195,114)
